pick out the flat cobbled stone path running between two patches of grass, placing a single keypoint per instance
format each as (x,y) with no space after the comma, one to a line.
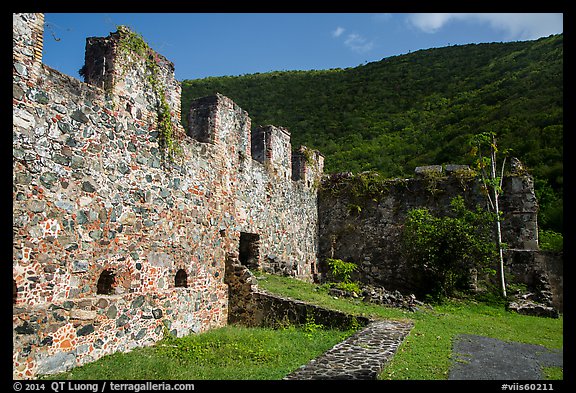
(361,356)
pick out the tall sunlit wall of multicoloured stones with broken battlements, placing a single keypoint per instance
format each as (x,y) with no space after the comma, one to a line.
(93,192)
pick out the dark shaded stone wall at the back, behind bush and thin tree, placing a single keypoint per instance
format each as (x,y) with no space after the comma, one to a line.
(370,236)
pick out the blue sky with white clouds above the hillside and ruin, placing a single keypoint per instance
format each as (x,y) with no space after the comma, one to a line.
(216,44)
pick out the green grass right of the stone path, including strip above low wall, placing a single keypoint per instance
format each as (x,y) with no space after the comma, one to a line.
(426,352)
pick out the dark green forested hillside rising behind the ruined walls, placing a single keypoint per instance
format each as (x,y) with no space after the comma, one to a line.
(419,109)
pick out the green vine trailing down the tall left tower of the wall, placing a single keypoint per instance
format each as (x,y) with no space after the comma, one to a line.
(132,42)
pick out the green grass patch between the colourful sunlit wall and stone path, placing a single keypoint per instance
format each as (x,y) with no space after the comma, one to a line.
(229,353)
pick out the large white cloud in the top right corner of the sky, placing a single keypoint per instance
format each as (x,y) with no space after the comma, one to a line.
(516,25)
